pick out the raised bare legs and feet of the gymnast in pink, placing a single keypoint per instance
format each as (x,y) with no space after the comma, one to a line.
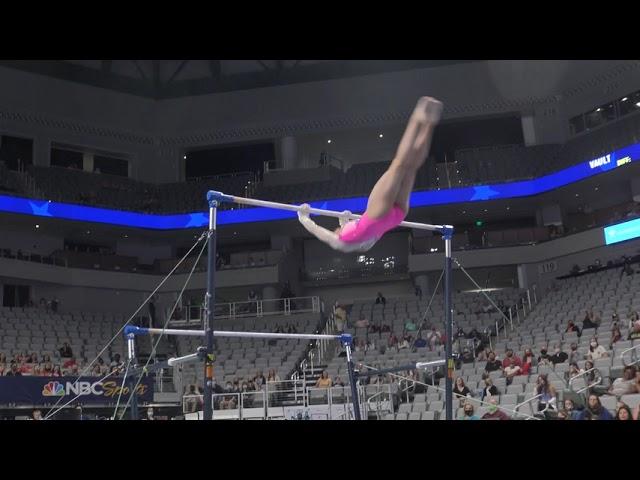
(395,185)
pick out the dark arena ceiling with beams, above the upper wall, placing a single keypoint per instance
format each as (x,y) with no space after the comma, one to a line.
(161,79)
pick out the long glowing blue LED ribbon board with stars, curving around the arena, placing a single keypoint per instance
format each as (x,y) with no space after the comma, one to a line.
(477,193)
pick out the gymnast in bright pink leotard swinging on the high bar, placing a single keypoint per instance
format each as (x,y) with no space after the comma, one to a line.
(388,203)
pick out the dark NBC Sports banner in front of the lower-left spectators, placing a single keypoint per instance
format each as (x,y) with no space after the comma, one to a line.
(48,390)
